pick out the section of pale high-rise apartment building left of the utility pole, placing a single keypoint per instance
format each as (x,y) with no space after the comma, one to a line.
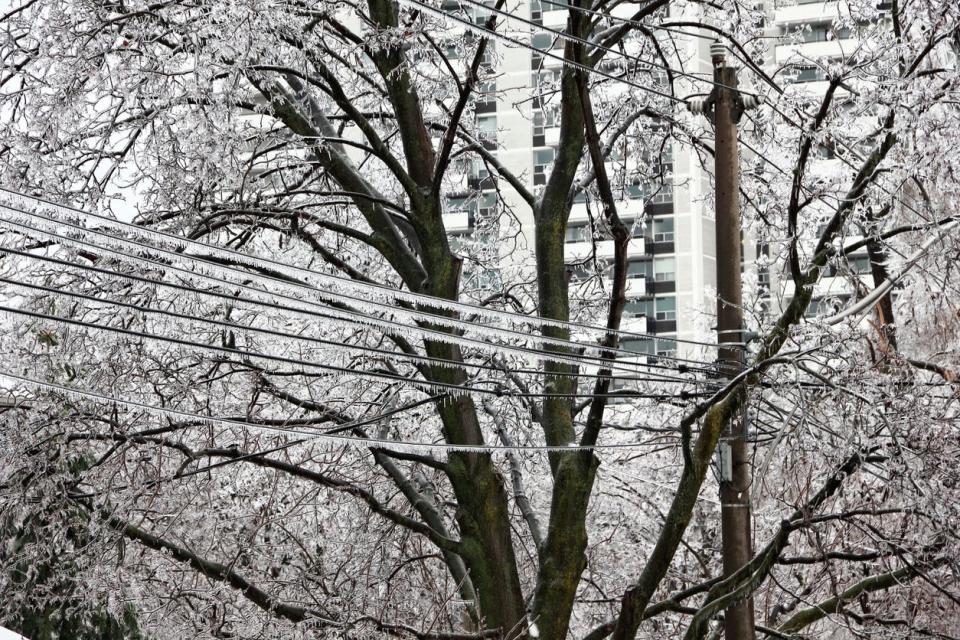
(671,253)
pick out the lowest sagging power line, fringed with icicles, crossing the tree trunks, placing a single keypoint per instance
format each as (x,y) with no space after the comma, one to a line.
(399,446)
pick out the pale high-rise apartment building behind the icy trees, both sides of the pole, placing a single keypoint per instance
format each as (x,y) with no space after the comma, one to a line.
(672,267)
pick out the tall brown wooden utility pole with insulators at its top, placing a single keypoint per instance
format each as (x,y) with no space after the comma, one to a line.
(724,107)
